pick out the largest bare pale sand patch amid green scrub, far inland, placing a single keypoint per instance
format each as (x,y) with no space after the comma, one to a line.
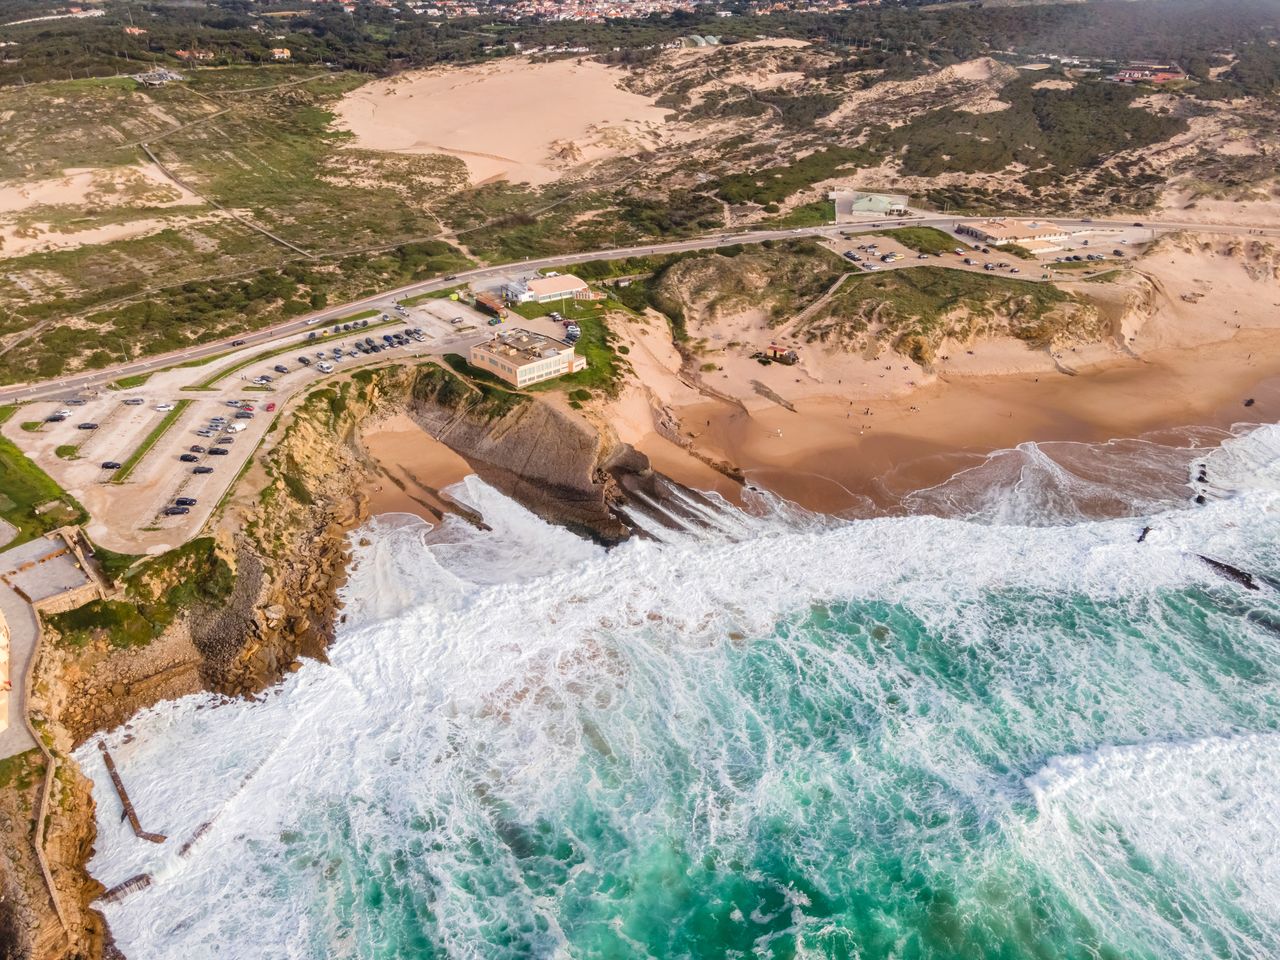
(513,120)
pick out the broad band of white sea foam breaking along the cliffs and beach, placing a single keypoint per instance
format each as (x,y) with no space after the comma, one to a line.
(470,662)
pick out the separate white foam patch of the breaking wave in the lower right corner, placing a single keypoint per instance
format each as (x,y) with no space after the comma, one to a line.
(1121,828)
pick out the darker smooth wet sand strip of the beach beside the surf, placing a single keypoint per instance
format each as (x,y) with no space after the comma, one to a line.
(839,455)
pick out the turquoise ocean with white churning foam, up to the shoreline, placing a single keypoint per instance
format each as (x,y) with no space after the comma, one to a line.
(1022,719)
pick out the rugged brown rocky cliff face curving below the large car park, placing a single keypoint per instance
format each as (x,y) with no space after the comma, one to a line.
(284,534)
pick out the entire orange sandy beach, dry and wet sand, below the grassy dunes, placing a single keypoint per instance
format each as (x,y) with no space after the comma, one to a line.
(843,432)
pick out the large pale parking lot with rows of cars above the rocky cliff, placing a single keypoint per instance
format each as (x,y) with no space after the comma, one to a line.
(135,514)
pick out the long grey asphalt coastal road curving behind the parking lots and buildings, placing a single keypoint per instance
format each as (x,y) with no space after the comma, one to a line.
(99,378)
